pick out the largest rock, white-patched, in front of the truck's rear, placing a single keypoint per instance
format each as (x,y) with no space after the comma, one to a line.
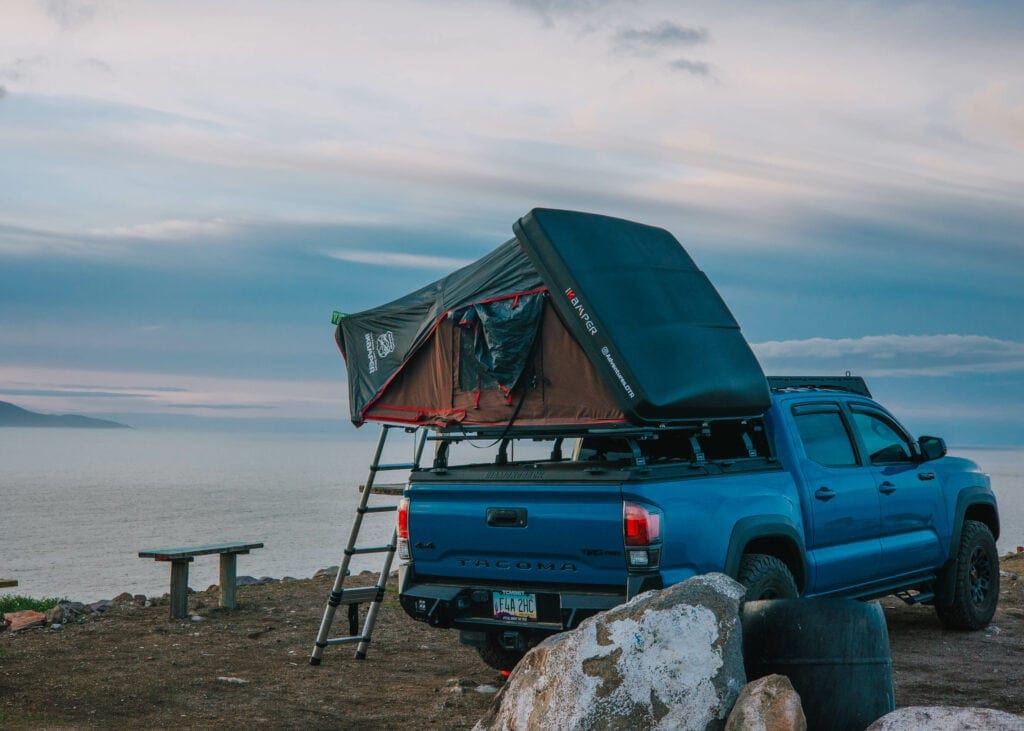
(671,659)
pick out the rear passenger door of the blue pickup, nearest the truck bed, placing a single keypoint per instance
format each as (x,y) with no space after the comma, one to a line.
(843,497)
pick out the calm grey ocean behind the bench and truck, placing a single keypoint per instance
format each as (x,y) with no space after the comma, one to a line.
(78,505)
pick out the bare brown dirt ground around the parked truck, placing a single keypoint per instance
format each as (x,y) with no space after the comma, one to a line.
(133,667)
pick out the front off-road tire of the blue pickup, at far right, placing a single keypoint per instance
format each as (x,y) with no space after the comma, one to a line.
(976,581)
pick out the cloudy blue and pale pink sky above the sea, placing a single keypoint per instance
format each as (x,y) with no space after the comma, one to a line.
(189,190)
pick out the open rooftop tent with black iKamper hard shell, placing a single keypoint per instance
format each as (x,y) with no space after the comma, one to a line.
(579,321)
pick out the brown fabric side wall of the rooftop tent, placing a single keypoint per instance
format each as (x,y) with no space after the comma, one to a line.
(560,386)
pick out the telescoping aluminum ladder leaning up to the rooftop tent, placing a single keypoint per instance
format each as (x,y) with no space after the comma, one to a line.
(375,594)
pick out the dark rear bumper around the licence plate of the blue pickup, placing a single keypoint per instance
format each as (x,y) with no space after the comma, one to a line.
(448,604)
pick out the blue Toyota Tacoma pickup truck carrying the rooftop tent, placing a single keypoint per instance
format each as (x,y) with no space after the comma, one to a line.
(827,495)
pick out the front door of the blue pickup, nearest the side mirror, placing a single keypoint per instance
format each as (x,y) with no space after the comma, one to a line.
(910,498)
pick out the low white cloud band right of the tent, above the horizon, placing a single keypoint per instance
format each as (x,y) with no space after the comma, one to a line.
(934,356)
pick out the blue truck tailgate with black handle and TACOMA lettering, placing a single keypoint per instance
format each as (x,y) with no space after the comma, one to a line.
(519,533)
